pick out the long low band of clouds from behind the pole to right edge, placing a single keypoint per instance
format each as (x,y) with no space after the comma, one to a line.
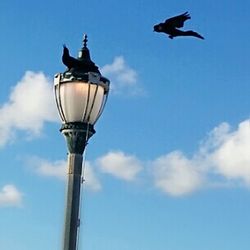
(221,160)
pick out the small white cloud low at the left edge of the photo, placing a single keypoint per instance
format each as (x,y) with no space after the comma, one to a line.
(10,196)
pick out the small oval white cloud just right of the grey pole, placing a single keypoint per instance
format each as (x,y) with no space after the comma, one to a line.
(120,165)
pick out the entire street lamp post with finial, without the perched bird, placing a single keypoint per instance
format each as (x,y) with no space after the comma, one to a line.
(81,93)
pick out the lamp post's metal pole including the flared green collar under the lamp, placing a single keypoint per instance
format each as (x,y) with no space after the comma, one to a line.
(76,135)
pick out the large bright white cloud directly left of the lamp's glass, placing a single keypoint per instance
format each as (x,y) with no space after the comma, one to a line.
(30,104)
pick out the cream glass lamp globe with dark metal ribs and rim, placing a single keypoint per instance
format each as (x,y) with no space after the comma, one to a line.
(81,100)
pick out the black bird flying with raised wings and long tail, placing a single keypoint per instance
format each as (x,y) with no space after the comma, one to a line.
(170,27)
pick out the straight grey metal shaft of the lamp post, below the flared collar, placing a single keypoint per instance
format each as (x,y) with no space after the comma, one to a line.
(72,201)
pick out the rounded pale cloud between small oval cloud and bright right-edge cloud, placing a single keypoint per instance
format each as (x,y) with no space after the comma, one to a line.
(176,175)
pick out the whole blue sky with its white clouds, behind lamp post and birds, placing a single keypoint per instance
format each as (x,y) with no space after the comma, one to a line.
(169,166)
